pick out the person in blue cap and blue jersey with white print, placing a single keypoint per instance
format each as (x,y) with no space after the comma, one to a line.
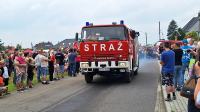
(185,60)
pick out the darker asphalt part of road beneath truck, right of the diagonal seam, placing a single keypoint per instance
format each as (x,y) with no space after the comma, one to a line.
(113,95)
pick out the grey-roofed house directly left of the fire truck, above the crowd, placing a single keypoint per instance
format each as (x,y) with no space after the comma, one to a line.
(65,43)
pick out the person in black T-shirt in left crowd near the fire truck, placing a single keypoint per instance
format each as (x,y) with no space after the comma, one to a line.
(60,60)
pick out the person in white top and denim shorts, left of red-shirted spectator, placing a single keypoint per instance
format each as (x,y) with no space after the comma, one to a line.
(44,68)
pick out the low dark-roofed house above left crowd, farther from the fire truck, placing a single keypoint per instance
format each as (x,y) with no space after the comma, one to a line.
(44,45)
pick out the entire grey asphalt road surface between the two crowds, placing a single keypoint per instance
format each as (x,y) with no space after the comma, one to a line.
(104,95)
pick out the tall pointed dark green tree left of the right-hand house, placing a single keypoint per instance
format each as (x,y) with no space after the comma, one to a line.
(172,28)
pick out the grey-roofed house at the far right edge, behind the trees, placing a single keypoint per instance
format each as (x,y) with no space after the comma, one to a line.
(193,24)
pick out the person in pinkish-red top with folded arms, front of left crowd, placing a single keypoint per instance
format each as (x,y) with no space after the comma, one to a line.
(20,66)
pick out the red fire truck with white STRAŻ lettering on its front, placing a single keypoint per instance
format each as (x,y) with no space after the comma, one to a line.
(108,50)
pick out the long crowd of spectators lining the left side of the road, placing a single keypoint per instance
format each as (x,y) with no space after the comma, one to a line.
(21,67)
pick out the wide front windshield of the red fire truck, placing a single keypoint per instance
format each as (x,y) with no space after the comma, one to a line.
(103,33)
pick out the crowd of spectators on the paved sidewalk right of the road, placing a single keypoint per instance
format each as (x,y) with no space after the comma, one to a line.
(180,62)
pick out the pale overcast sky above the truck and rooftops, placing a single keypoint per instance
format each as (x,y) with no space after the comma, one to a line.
(26,21)
